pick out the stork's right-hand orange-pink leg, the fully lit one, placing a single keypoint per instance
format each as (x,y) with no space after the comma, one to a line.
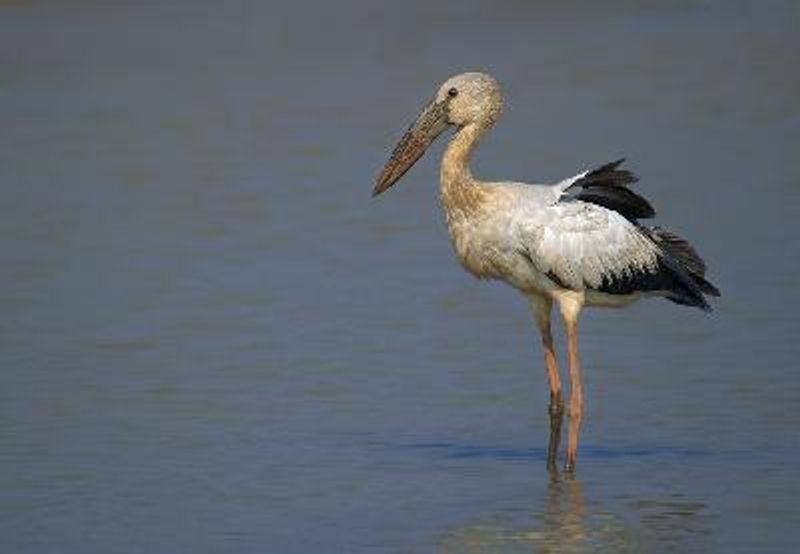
(570,307)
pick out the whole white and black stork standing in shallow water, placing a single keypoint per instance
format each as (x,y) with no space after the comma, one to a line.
(576,243)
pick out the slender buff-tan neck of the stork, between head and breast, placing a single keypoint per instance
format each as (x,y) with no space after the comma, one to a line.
(460,192)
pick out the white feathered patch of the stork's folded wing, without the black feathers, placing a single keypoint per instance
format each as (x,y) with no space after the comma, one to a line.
(580,245)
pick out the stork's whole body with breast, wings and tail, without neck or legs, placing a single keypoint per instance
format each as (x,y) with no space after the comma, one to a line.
(580,234)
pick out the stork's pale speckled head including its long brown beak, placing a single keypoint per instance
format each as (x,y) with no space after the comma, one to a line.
(465,99)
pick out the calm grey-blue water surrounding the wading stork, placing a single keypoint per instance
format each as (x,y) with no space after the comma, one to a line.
(213,340)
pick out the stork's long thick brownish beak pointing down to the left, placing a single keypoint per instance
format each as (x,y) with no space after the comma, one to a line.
(429,124)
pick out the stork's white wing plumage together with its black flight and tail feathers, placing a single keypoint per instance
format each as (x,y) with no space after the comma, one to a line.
(586,237)
